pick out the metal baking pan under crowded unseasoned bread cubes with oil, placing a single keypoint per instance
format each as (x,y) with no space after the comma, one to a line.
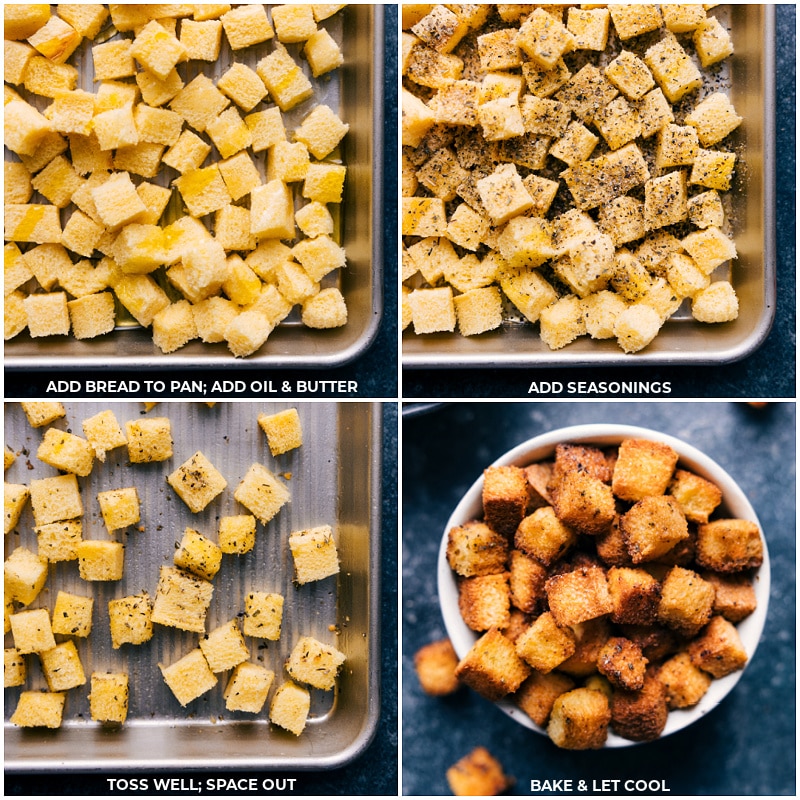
(355,92)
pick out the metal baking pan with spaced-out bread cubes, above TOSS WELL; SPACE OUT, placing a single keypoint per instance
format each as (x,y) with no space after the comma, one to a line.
(335,479)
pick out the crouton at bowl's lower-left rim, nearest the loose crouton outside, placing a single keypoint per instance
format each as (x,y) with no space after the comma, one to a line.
(492,667)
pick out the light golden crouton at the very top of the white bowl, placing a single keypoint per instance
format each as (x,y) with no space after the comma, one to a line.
(643,469)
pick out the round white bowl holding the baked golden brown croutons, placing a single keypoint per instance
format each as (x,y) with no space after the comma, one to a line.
(734,504)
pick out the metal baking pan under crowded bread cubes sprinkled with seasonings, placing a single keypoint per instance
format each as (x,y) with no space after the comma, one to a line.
(749,77)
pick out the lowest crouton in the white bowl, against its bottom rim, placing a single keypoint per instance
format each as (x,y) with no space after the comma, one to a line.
(579,720)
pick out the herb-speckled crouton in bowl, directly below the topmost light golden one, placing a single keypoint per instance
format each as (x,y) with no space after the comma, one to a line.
(652,527)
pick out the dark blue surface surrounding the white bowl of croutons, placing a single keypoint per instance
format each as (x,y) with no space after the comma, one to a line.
(746,746)
